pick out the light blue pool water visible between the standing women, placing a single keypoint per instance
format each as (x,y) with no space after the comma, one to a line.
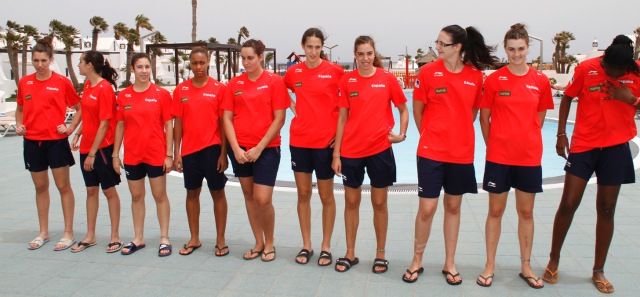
(405,152)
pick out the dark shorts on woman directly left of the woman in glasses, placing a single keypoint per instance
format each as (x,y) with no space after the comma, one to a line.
(381,169)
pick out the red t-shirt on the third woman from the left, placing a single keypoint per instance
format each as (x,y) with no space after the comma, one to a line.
(144,115)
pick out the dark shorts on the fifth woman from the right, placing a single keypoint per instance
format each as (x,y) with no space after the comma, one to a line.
(308,159)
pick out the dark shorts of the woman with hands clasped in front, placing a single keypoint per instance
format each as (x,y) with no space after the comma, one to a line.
(264,170)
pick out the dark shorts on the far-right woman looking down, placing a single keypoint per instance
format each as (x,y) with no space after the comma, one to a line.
(613,165)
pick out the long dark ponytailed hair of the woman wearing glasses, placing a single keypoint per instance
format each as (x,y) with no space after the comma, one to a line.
(474,50)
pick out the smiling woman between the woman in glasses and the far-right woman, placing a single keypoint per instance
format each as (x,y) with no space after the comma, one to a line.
(512,111)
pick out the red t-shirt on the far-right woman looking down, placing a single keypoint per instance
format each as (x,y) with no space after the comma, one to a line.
(600,122)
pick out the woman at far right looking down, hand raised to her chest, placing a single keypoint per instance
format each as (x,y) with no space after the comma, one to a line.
(609,92)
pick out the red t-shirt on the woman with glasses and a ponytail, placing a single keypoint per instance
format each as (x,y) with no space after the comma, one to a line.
(446,132)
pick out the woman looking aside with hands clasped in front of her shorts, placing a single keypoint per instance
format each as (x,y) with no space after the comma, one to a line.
(254,111)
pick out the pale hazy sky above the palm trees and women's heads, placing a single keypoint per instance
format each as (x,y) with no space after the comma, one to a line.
(397,27)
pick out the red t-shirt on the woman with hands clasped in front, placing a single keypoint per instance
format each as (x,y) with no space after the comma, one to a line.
(252,104)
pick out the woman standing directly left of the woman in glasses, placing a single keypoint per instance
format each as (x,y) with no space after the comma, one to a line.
(363,141)
